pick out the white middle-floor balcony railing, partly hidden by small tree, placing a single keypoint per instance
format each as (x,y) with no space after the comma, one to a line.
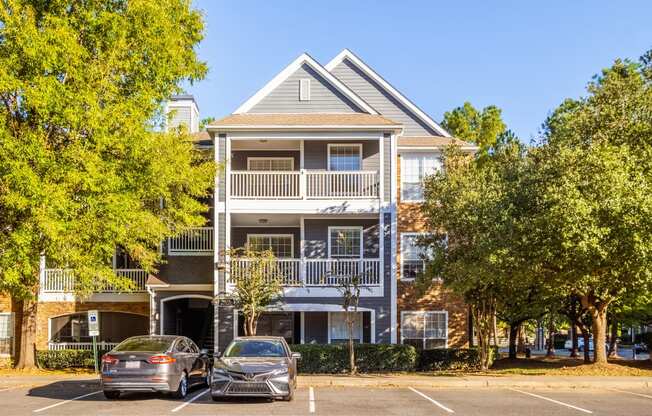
(317,272)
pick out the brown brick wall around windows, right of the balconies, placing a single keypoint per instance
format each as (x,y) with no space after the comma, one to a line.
(410,219)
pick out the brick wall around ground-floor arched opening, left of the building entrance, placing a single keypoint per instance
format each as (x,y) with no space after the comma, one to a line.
(48,310)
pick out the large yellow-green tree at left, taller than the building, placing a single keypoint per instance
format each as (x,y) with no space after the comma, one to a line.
(81,170)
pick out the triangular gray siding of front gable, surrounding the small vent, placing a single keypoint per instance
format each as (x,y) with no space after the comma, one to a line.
(323,97)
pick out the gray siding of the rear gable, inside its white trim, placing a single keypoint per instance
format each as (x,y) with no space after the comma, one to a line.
(380,100)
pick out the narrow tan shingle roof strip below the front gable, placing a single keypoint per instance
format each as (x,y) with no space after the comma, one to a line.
(304,119)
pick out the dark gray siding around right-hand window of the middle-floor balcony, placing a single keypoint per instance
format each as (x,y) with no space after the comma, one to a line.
(316,235)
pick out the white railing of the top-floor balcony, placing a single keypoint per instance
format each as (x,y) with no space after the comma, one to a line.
(304,184)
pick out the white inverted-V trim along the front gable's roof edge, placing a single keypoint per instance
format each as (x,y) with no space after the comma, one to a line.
(293,67)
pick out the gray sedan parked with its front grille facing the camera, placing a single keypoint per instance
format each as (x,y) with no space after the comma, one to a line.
(255,366)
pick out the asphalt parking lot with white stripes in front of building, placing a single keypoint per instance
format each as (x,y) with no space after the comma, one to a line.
(74,397)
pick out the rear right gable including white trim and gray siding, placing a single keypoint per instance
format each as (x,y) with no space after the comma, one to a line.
(386,99)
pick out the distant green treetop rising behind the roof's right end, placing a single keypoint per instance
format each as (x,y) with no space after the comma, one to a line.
(484,128)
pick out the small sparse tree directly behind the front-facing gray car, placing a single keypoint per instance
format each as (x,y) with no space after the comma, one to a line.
(257,283)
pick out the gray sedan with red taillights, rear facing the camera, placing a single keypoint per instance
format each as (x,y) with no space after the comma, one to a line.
(166,363)
